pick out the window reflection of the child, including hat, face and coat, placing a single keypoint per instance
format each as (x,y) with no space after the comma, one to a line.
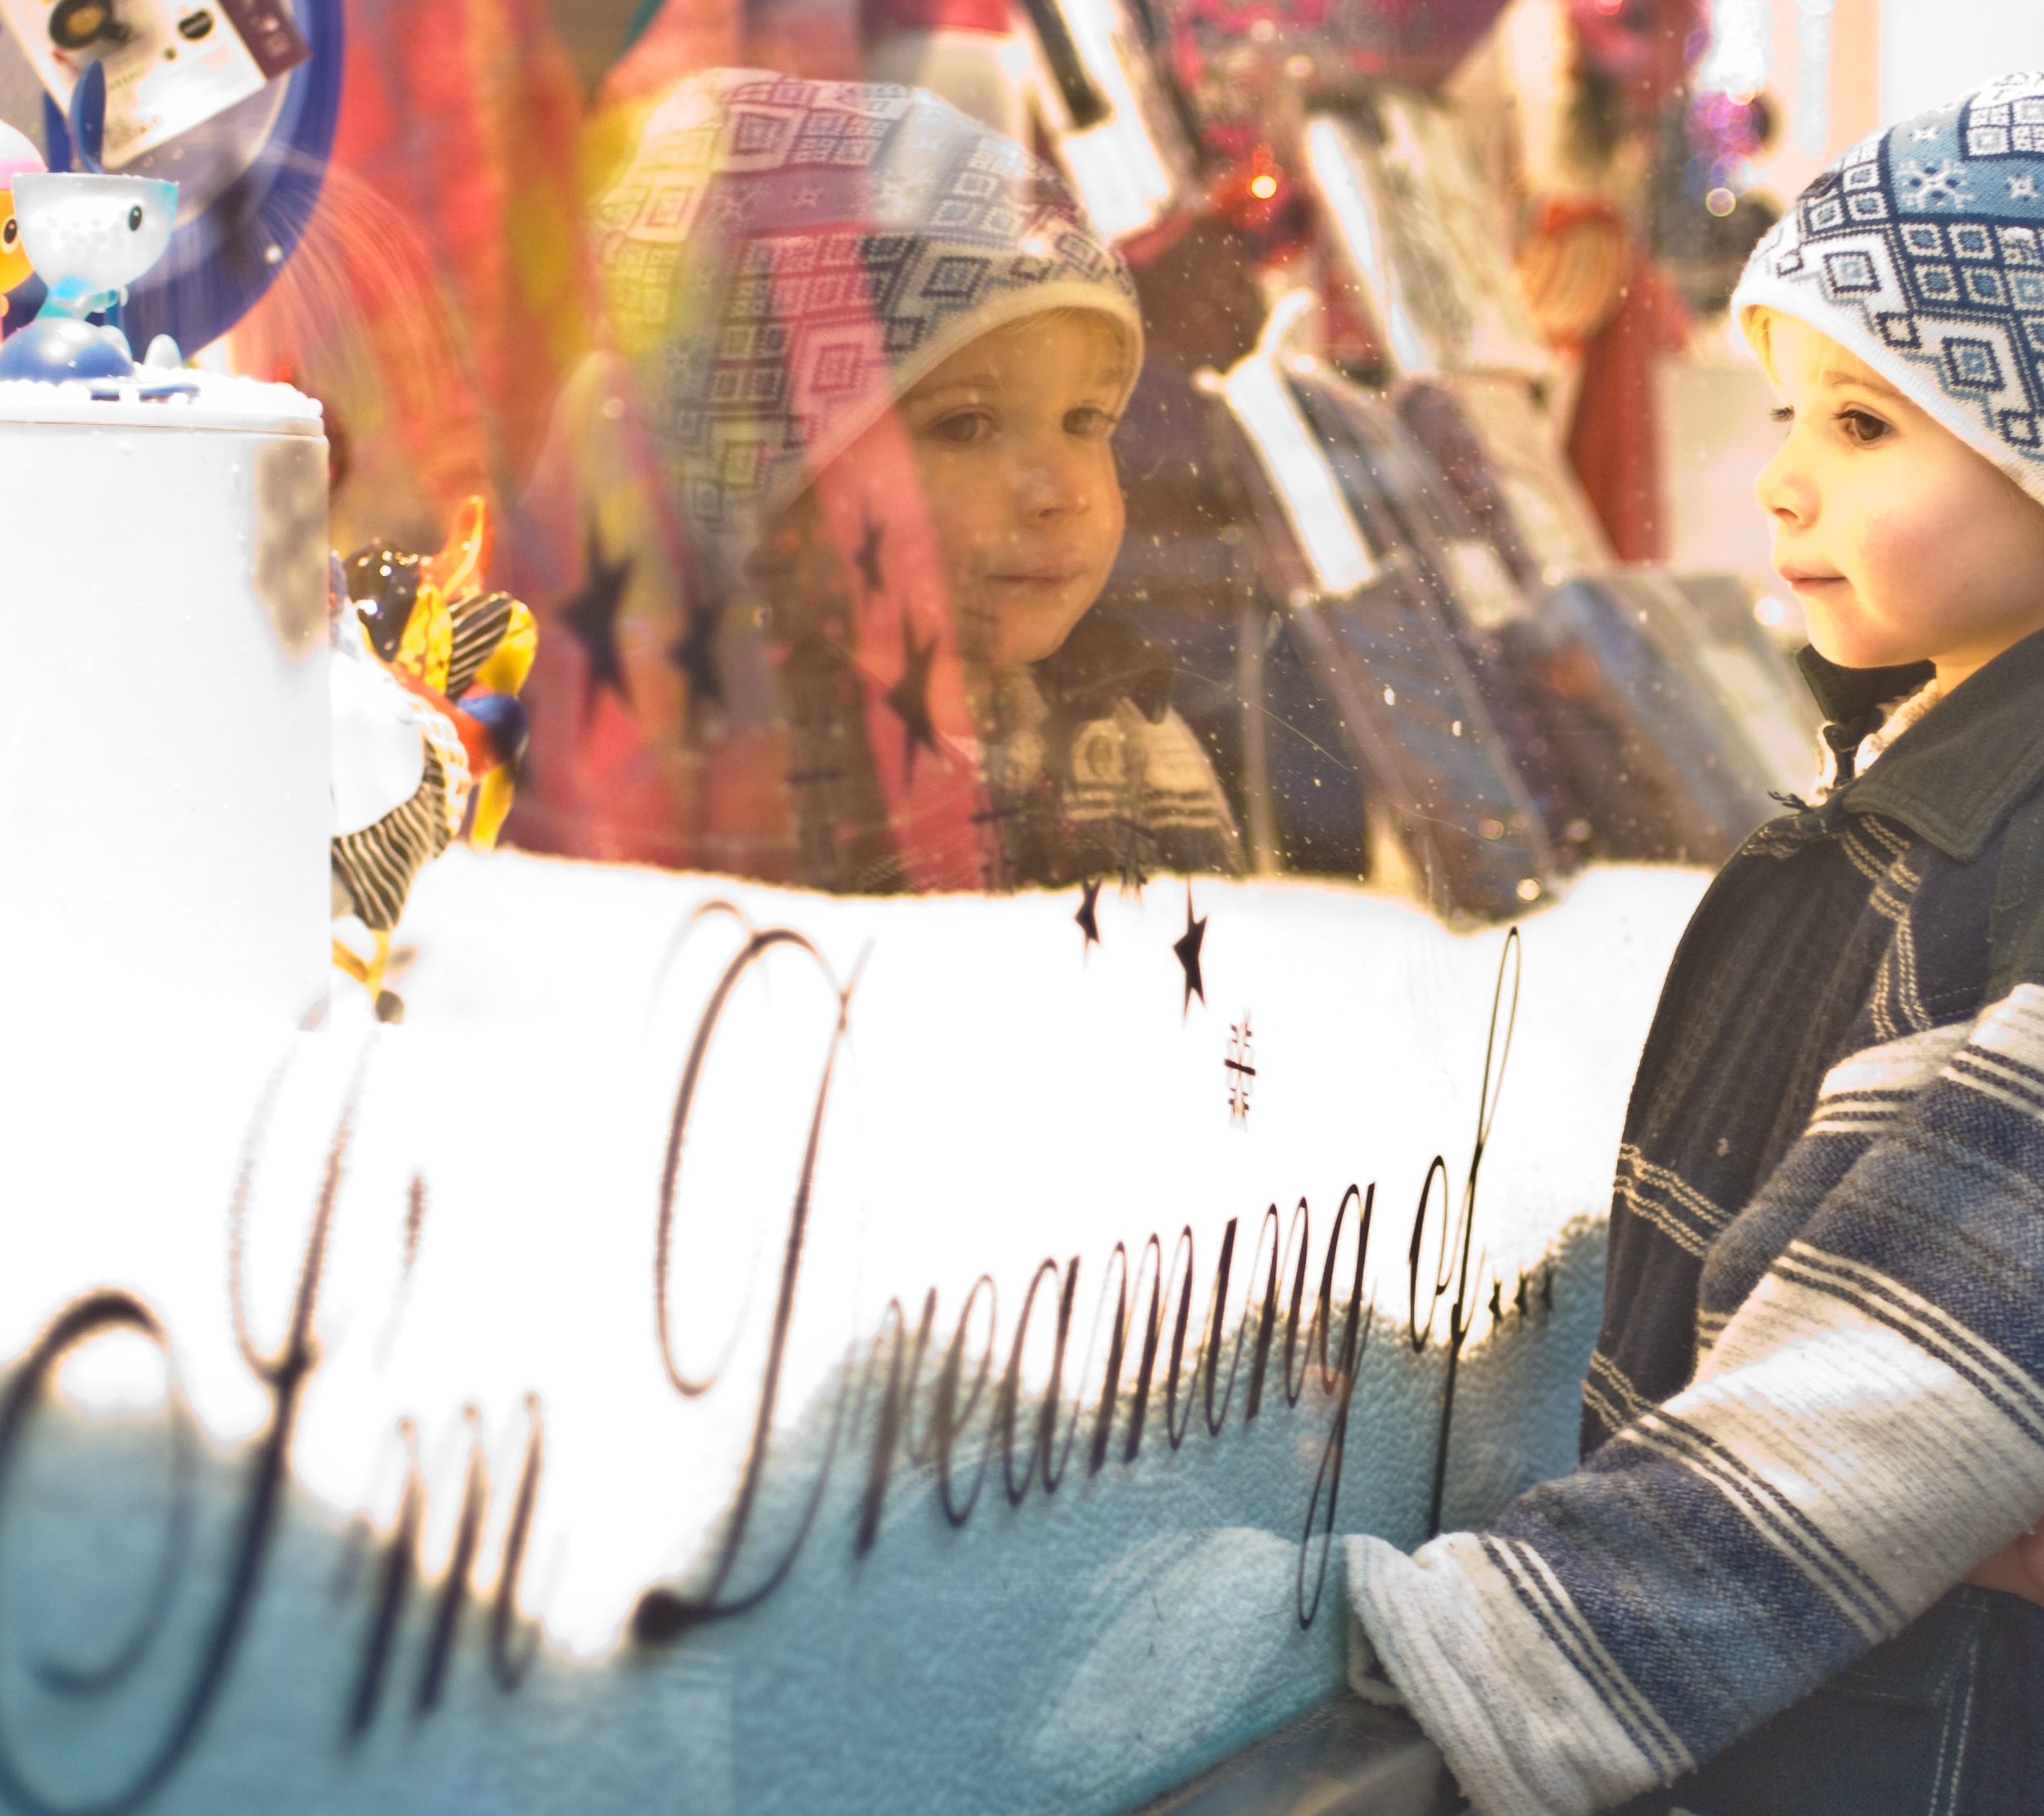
(874,357)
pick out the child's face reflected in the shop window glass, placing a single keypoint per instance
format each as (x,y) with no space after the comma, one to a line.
(1011,441)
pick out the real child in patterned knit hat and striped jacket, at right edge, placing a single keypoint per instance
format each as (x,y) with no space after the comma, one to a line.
(1792,1574)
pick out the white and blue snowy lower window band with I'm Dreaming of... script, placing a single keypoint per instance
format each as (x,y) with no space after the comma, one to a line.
(410,1281)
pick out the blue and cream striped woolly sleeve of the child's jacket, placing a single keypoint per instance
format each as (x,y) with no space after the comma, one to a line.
(1865,1431)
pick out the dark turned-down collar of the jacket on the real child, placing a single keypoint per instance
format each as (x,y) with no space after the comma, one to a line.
(1957,774)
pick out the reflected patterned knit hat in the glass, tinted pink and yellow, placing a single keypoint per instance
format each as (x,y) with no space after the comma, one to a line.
(788,259)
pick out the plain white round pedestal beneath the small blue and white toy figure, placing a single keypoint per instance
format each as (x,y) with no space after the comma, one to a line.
(165,799)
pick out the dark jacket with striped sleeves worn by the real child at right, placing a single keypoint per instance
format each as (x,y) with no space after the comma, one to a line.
(1818,1400)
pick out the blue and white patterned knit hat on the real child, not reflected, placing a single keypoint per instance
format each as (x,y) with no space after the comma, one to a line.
(1922,251)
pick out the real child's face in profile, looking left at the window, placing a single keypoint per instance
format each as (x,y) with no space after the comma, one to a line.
(1900,541)
